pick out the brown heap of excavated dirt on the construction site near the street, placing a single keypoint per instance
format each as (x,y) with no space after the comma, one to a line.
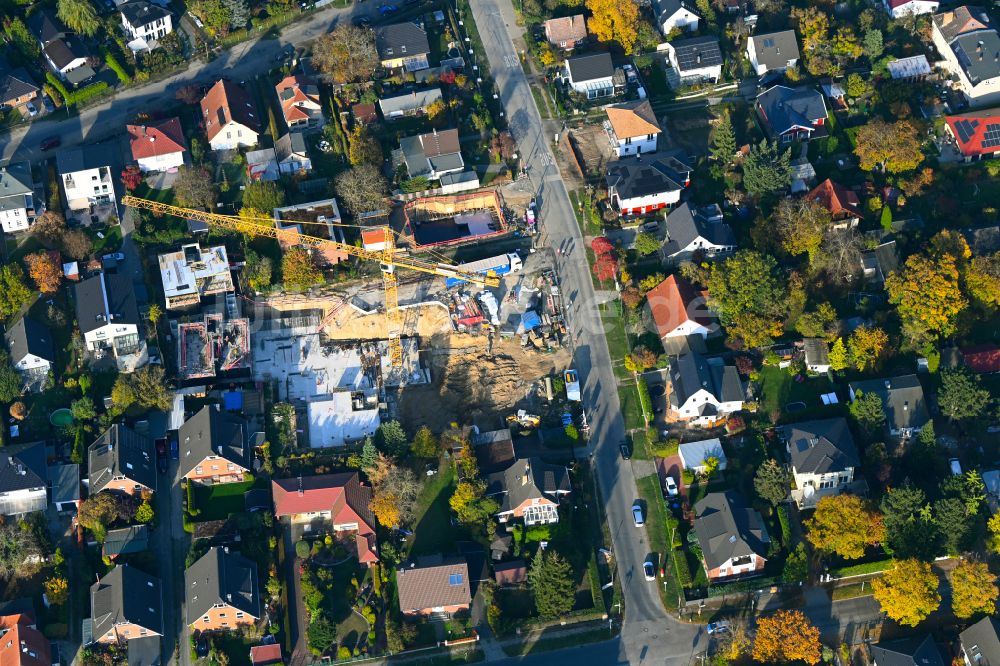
(470,386)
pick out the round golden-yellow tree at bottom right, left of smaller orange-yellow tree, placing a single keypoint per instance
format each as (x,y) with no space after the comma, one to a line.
(908,592)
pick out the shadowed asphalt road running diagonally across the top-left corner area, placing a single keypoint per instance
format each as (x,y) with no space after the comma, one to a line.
(109,118)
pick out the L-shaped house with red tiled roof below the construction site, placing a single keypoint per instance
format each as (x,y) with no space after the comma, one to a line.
(329,502)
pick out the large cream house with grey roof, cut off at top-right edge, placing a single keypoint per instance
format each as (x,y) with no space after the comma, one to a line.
(969,46)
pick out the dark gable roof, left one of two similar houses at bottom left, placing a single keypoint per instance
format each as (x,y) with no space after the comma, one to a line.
(126,596)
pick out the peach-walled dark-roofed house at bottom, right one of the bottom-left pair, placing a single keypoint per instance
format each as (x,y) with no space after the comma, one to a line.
(221,591)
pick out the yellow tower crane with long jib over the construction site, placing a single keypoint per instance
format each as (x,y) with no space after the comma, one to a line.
(386,257)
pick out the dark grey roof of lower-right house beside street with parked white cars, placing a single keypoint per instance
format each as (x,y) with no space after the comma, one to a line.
(727,527)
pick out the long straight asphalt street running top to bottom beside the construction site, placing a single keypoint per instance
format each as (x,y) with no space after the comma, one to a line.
(649,635)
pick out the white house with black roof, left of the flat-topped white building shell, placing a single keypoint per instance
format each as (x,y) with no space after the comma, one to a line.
(107,315)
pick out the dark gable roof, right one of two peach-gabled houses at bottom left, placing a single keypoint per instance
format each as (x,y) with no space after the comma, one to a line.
(221,576)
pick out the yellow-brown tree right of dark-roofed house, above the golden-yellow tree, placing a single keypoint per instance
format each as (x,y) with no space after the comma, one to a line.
(845,525)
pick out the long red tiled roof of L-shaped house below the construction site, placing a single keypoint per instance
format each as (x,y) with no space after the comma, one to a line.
(340,494)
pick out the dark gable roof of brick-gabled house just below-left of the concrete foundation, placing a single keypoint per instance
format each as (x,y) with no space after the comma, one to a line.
(212,432)
